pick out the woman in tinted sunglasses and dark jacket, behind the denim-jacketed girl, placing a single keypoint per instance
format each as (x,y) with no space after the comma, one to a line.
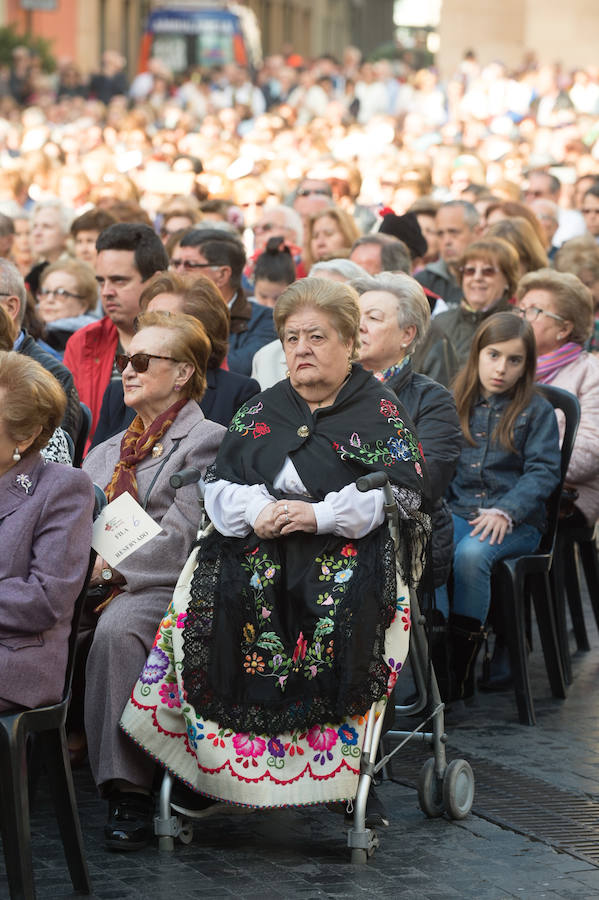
(488,273)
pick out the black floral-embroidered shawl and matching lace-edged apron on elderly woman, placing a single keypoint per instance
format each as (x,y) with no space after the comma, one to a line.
(285,634)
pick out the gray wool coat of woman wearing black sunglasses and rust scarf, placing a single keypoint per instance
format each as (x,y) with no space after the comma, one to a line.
(127,626)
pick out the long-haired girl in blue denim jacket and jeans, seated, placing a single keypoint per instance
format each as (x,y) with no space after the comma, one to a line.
(508,467)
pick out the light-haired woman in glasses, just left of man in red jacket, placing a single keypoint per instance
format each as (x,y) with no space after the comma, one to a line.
(66,300)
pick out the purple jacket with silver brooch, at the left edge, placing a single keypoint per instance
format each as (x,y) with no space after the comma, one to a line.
(45,537)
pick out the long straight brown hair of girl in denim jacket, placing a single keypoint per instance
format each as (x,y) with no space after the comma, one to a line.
(496,329)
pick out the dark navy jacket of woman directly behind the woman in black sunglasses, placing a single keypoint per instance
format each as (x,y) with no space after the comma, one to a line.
(225,392)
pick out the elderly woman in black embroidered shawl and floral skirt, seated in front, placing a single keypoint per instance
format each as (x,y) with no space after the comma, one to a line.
(293,615)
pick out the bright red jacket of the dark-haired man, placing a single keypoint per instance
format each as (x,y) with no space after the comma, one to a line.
(89,355)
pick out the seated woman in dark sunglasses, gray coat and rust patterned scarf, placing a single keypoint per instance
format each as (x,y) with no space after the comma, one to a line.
(164,377)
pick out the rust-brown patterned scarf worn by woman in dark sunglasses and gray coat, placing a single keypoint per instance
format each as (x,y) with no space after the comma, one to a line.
(136,444)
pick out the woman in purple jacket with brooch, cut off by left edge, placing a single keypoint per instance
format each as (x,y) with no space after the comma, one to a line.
(45,534)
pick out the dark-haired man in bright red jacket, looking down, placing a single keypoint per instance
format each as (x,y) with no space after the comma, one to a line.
(128,254)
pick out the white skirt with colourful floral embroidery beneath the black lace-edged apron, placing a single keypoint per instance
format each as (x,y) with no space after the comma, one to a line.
(318,765)
